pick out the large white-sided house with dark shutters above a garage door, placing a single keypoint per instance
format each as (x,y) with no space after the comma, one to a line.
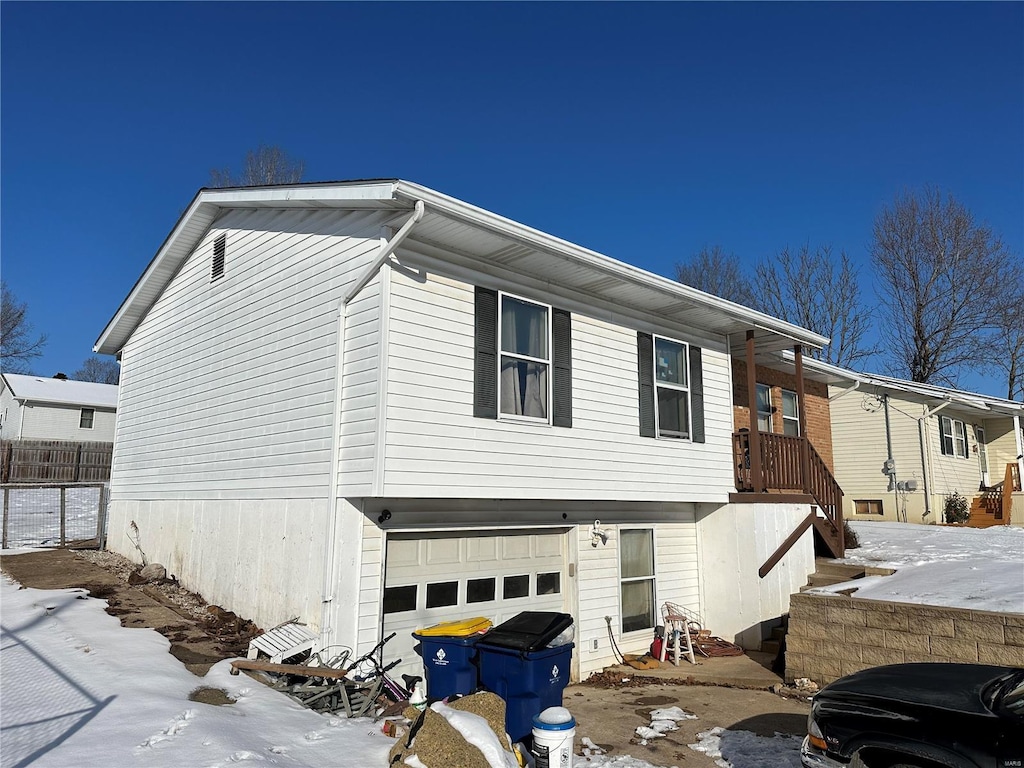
(376,408)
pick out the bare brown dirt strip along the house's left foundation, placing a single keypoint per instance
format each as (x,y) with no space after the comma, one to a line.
(200,635)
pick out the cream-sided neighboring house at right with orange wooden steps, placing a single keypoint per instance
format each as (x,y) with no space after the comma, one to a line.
(903,448)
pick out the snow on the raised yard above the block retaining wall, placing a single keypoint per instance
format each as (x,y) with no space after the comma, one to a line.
(979,569)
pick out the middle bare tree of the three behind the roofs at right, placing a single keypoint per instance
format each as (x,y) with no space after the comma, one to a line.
(814,289)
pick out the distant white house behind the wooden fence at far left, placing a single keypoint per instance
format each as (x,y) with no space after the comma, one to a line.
(33,408)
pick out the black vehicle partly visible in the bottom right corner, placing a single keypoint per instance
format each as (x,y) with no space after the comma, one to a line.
(919,716)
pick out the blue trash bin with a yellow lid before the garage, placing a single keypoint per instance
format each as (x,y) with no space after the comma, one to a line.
(449,652)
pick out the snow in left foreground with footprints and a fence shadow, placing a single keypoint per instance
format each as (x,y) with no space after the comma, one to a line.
(79,690)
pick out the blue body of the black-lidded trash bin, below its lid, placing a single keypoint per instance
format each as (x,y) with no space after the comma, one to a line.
(529,681)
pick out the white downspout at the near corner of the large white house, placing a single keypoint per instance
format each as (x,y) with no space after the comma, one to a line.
(330,558)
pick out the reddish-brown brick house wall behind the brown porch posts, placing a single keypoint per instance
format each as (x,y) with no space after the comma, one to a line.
(817,407)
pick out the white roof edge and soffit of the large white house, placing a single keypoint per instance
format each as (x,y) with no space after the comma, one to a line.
(468,235)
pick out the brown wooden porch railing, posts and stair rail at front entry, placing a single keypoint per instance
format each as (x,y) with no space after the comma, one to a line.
(767,463)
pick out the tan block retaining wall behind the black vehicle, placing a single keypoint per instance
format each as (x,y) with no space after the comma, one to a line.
(833,635)
